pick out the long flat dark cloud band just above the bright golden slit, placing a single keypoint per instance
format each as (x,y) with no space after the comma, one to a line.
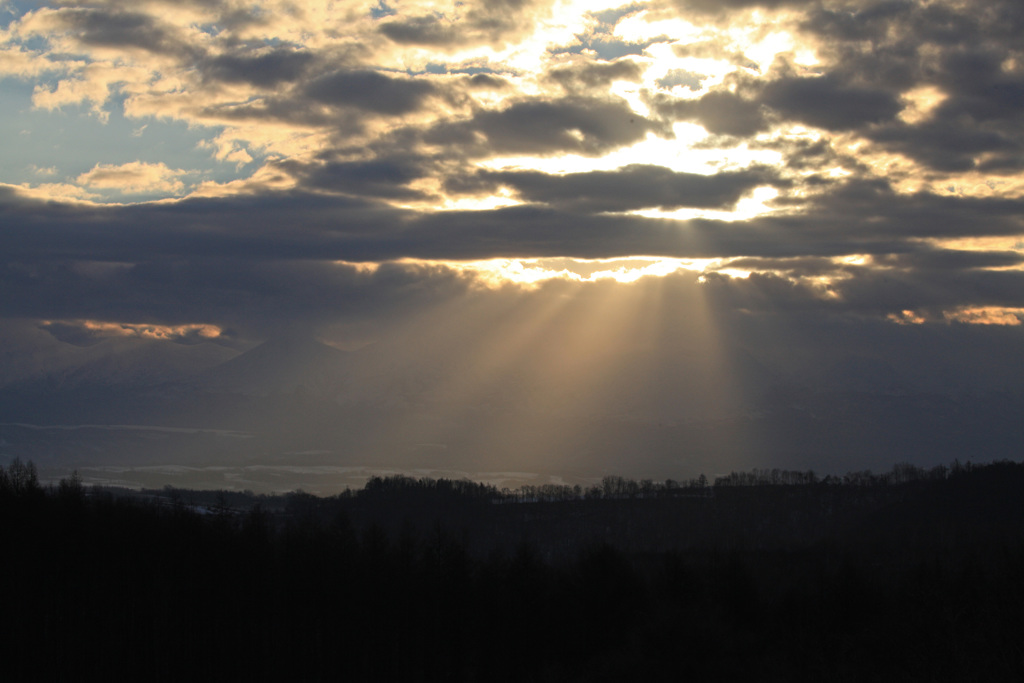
(311,227)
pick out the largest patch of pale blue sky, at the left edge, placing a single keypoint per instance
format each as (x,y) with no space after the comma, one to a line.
(59,146)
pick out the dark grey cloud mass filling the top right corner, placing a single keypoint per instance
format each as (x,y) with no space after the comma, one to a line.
(892,48)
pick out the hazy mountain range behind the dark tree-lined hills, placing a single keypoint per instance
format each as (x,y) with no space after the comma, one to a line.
(402,405)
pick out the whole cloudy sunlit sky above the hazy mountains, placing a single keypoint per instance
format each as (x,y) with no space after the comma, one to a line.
(830,192)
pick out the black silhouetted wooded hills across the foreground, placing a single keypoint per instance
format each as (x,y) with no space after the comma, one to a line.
(766,576)
